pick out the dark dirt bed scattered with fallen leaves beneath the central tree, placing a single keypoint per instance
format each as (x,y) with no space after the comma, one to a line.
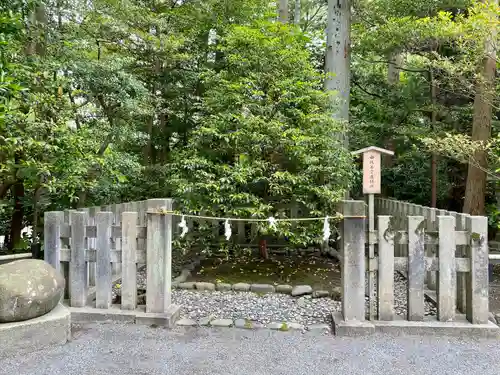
(319,272)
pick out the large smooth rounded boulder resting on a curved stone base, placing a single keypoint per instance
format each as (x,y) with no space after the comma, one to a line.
(29,288)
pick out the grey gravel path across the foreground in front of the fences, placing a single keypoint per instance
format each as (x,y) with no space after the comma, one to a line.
(140,350)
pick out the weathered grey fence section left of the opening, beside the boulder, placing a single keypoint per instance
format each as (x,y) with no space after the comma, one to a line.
(95,246)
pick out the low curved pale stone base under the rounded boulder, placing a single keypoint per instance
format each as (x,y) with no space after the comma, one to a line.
(51,329)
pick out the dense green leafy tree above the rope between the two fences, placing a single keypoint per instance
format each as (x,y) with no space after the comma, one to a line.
(267,138)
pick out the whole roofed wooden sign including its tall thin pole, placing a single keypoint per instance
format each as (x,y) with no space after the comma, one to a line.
(372,185)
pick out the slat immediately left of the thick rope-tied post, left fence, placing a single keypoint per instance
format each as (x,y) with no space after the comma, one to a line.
(129,260)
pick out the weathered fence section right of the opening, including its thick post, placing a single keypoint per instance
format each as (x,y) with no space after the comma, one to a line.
(412,232)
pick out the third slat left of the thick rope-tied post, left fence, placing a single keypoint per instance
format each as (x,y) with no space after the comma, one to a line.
(78,266)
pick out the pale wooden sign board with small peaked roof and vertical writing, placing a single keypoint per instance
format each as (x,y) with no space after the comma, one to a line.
(371,168)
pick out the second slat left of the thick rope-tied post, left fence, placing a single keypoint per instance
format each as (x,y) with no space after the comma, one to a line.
(104,221)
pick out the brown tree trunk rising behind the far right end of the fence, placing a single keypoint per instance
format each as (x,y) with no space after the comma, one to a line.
(475,189)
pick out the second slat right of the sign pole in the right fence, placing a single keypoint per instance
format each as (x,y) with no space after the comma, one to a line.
(416,268)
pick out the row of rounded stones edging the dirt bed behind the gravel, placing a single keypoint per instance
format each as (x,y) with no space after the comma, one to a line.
(296,291)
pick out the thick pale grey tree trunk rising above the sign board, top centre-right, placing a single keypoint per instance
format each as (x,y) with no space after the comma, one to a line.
(338,58)
